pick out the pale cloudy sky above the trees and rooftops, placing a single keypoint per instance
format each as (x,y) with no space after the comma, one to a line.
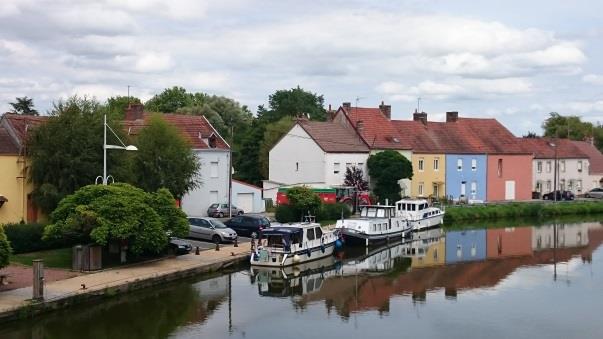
(513,60)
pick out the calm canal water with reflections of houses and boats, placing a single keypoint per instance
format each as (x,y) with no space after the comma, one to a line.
(515,282)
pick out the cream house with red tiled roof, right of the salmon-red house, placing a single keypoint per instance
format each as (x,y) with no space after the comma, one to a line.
(571,162)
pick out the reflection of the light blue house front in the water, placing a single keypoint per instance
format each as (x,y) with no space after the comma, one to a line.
(469,245)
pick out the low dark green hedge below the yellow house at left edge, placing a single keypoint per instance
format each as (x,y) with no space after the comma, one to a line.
(26,238)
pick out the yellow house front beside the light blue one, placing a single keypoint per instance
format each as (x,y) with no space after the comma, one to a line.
(429,175)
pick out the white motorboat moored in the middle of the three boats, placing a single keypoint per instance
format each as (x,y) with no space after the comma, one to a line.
(377,224)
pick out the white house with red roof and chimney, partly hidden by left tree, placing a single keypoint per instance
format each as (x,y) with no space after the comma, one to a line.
(212,153)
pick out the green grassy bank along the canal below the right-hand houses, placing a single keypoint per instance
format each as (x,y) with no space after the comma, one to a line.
(520,210)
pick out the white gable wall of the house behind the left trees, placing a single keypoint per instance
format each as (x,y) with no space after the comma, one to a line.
(196,202)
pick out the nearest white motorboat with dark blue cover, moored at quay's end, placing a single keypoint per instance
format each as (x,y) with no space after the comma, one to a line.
(290,244)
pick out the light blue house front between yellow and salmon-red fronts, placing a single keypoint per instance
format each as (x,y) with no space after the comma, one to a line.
(466,176)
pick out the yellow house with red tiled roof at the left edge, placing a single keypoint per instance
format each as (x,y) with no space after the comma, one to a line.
(15,188)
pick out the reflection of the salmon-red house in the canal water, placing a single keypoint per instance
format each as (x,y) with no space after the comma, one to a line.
(508,242)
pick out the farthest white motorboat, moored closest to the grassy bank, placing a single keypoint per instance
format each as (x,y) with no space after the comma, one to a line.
(419,214)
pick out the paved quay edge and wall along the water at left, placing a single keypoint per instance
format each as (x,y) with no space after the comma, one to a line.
(18,303)
